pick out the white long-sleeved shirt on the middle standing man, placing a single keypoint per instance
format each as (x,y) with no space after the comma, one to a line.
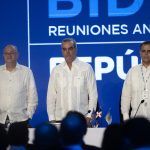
(73,89)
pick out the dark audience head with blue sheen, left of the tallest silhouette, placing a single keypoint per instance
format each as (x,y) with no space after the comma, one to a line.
(46,137)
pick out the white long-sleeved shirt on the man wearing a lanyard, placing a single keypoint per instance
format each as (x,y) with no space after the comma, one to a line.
(133,90)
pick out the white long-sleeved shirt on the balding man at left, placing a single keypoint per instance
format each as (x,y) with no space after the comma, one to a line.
(18,95)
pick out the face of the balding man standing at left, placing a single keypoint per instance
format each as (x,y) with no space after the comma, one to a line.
(10,55)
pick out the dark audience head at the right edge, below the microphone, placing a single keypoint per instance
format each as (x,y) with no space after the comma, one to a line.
(137,132)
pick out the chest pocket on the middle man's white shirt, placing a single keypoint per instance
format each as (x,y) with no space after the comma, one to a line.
(79,81)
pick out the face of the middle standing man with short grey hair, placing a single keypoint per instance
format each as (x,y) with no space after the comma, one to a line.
(68,51)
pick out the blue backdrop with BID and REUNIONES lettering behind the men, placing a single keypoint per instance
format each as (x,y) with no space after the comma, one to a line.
(108,33)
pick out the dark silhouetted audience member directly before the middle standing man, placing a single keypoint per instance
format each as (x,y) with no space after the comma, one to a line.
(72,130)
